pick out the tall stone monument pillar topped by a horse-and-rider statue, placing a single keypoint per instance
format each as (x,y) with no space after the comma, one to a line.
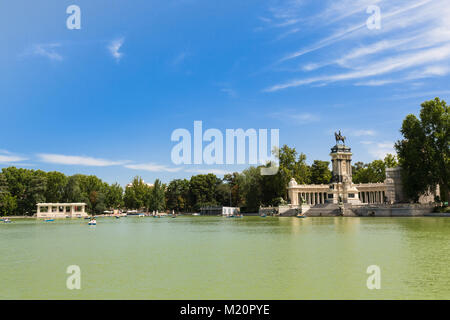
(342,187)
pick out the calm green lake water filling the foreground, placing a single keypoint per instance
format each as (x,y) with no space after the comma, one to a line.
(226,258)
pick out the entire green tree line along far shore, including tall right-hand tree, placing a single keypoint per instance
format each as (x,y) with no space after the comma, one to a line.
(423,154)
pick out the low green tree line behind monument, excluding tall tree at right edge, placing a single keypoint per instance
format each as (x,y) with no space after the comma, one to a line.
(21,189)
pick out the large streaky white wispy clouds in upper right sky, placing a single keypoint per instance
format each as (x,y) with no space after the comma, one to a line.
(415,43)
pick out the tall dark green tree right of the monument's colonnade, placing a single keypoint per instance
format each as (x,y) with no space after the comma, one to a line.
(424,151)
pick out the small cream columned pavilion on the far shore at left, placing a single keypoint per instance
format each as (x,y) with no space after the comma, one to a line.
(61,210)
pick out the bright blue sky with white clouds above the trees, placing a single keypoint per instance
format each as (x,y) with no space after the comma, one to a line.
(105,99)
